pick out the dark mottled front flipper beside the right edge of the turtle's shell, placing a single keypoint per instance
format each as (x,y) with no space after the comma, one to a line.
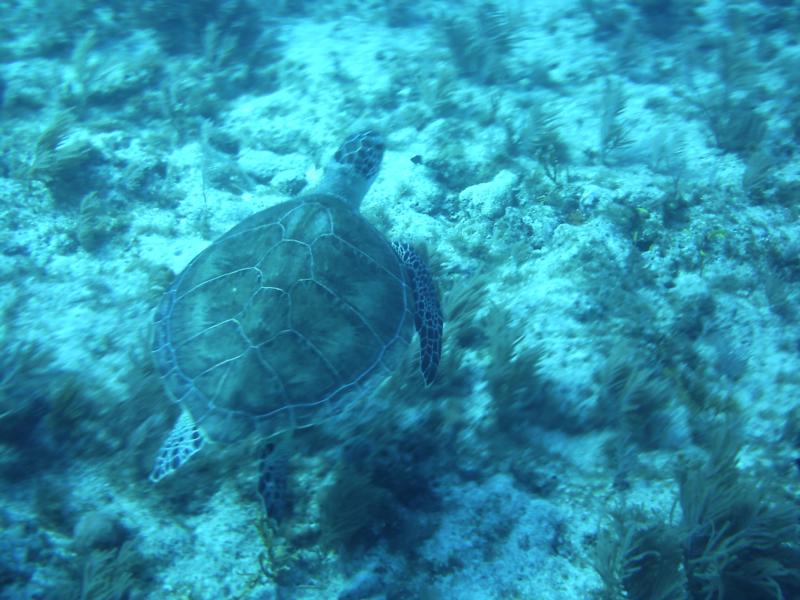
(427,310)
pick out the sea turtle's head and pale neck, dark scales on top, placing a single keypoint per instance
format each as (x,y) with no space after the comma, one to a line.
(354,167)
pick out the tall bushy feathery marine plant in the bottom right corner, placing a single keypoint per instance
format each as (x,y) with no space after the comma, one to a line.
(741,536)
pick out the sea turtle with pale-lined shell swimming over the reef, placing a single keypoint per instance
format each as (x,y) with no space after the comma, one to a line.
(291,315)
